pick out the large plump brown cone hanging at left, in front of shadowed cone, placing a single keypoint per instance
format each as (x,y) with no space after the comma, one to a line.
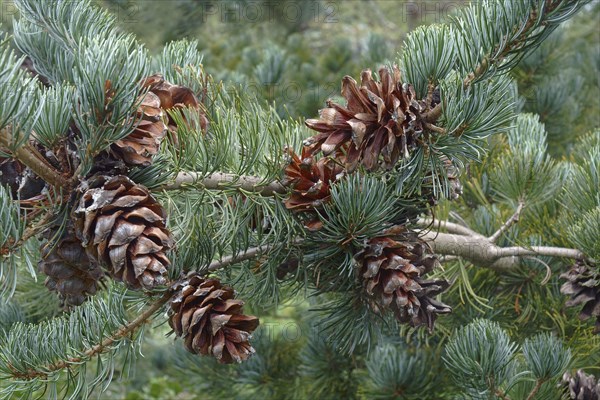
(123,227)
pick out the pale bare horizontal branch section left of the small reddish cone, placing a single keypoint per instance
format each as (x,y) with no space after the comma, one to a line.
(221,180)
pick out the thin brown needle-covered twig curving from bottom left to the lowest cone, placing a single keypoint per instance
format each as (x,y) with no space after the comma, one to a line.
(99,348)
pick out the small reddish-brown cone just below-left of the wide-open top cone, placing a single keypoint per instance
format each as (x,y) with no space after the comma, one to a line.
(310,181)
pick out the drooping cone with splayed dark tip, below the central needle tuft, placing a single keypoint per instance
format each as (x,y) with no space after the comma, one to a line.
(394,271)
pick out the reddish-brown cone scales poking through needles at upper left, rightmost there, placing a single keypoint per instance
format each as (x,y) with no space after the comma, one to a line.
(174,96)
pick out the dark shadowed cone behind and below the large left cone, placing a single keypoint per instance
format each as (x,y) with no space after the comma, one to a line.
(69,270)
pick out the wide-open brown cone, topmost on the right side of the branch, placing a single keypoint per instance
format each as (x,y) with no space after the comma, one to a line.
(380,123)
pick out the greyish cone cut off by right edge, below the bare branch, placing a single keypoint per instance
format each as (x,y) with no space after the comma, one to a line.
(583,285)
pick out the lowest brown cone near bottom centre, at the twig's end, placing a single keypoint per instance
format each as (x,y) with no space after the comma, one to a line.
(206,315)
